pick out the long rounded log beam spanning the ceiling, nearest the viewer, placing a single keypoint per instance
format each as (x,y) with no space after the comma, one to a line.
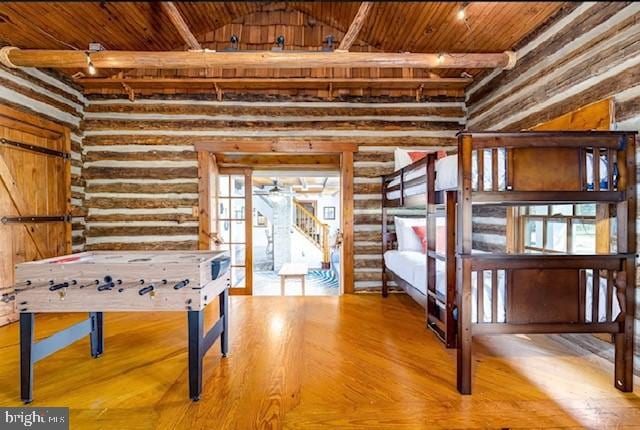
(61,59)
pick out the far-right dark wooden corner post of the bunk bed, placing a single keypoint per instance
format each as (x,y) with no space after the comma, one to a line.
(626,217)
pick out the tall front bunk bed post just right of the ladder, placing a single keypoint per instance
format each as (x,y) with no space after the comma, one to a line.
(463,264)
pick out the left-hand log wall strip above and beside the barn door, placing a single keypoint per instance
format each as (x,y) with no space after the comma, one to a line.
(48,96)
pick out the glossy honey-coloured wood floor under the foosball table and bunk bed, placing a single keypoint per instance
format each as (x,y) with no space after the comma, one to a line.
(311,362)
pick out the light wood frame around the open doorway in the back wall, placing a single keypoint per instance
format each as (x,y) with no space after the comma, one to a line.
(345,150)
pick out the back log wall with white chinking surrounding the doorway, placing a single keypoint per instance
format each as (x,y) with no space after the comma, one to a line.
(140,167)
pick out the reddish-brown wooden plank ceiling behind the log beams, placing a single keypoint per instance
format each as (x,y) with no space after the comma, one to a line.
(430,27)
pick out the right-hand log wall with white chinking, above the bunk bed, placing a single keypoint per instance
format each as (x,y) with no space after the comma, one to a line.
(591,54)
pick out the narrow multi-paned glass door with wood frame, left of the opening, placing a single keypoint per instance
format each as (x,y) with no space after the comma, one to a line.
(234,227)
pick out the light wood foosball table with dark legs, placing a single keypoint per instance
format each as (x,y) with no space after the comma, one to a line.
(131,281)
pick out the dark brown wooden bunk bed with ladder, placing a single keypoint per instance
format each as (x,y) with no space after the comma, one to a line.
(522,293)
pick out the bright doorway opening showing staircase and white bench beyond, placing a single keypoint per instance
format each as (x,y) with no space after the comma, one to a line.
(296,230)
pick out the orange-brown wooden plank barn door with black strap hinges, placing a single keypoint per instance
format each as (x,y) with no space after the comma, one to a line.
(35,187)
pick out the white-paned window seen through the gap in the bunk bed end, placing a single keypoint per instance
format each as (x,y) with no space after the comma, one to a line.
(559,229)
